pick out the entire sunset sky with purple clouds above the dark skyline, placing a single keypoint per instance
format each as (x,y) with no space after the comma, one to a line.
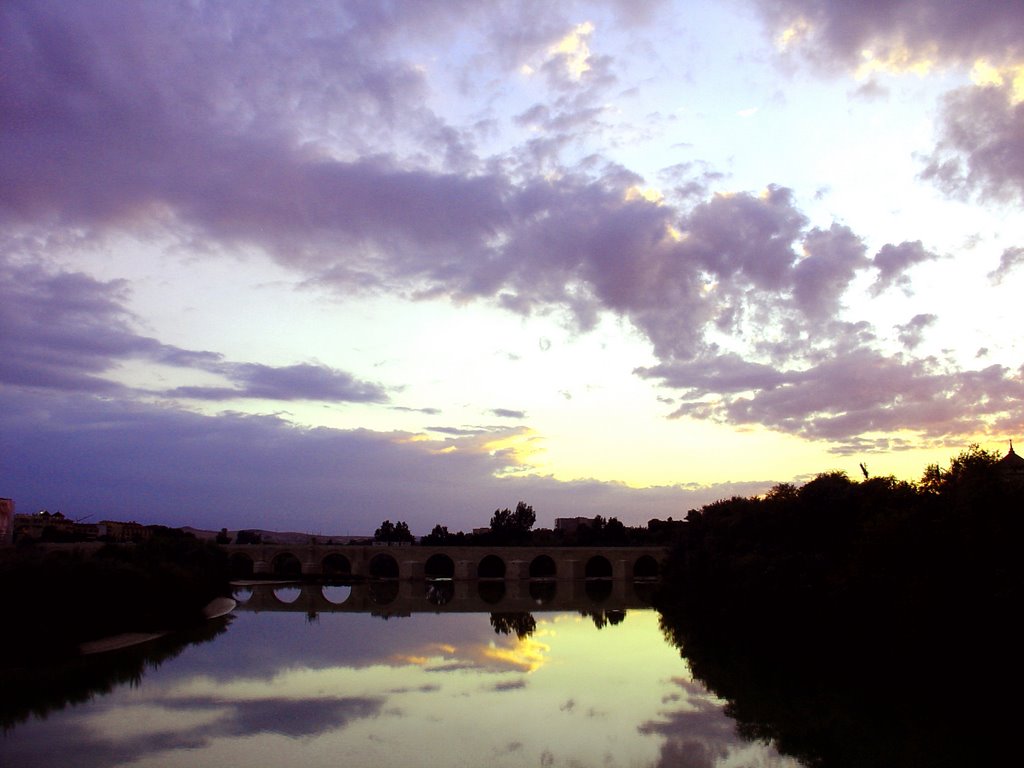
(307,267)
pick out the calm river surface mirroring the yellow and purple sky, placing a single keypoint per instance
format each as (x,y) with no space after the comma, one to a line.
(285,685)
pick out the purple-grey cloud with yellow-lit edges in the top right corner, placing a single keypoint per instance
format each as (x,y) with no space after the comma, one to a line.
(983,129)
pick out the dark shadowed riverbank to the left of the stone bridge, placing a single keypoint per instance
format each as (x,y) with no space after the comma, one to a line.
(56,601)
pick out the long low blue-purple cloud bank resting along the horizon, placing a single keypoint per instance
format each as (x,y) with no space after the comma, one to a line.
(125,460)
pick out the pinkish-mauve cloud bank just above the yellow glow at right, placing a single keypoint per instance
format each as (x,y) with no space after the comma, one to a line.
(841,398)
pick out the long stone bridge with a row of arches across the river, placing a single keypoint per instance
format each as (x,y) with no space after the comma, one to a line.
(460,564)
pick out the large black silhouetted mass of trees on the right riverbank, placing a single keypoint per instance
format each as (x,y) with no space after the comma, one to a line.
(858,623)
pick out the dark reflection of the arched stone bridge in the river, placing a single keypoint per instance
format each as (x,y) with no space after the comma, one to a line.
(395,598)
